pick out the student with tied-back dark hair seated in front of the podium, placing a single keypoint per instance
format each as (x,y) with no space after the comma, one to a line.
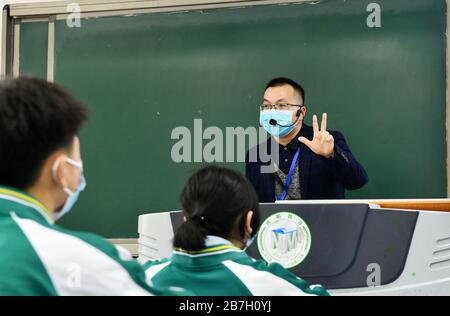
(222,218)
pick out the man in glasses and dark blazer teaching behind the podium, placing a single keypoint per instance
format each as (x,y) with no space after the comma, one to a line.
(312,162)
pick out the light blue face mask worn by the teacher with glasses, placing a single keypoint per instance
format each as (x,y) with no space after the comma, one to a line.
(277,123)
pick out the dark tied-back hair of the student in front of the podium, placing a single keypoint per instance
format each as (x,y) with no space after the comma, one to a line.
(216,201)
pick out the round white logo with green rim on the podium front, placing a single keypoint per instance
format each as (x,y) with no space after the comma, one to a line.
(284,238)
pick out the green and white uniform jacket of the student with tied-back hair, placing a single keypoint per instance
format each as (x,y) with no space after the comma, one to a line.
(222,269)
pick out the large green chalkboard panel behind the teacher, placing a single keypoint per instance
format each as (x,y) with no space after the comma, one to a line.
(146,74)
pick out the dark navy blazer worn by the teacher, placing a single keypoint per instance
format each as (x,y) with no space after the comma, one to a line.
(320,178)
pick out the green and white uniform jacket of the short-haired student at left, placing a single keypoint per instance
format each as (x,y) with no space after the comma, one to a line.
(40,258)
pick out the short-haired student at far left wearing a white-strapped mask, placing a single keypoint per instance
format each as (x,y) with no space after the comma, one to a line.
(41,177)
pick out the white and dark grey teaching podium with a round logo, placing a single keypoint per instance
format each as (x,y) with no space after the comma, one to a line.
(349,247)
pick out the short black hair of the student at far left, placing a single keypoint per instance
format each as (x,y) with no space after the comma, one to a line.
(36,118)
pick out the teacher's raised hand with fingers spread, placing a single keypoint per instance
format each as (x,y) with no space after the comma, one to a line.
(323,142)
